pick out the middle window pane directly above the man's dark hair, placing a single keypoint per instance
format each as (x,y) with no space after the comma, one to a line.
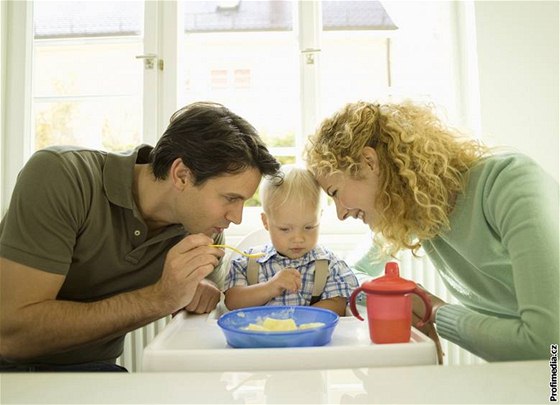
(243,54)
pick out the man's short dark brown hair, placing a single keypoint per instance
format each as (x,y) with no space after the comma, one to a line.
(211,141)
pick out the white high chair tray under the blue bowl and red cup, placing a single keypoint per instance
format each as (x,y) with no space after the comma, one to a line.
(196,343)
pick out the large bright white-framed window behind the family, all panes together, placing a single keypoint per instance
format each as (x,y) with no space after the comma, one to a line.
(283,65)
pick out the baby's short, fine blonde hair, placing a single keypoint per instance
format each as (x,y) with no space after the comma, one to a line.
(296,184)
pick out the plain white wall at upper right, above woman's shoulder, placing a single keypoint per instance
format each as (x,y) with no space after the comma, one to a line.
(517,43)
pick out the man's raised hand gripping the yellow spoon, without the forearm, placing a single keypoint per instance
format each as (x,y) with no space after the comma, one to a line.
(186,265)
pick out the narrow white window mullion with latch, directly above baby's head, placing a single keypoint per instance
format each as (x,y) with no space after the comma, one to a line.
(309,33)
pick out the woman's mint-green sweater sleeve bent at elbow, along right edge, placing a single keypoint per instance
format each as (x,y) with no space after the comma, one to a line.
(520,204)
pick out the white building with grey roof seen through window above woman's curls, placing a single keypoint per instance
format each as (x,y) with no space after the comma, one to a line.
(354,52)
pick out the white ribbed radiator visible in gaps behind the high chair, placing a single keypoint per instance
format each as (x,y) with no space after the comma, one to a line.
(418,269)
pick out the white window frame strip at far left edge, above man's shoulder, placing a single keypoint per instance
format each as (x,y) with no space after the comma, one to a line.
(16,137)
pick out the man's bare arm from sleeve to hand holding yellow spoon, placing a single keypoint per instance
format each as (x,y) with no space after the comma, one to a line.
(33,322)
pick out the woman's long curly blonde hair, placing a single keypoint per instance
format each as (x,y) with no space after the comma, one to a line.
(422,165)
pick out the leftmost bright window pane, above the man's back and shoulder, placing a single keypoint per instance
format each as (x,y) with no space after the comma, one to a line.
(87,83)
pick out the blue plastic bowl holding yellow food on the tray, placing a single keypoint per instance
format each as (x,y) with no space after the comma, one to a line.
(233,322)
